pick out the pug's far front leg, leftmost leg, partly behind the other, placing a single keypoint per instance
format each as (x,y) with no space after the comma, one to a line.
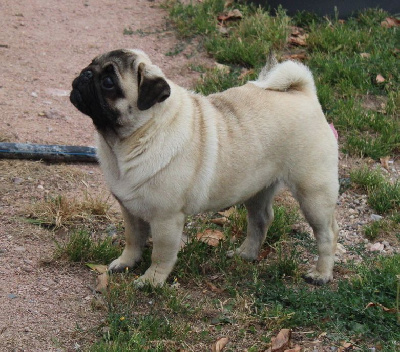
(136,233)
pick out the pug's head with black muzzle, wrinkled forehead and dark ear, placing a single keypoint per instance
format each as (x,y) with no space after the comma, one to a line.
(116,86)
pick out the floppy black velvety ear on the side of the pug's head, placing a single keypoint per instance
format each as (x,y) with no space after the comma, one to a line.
(152,90)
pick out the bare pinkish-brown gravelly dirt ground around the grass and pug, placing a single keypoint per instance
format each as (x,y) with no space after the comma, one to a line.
(43,45)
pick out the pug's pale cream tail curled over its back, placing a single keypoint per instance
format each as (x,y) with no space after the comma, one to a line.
(288,75)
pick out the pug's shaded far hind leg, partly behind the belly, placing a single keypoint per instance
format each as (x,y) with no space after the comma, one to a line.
(260,215)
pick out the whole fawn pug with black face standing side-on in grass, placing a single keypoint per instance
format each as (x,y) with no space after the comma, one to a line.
(167,152)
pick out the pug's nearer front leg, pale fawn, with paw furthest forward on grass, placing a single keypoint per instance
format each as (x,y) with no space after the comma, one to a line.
(166,235)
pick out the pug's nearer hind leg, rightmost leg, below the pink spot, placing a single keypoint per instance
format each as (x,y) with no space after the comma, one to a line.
(318,206)
